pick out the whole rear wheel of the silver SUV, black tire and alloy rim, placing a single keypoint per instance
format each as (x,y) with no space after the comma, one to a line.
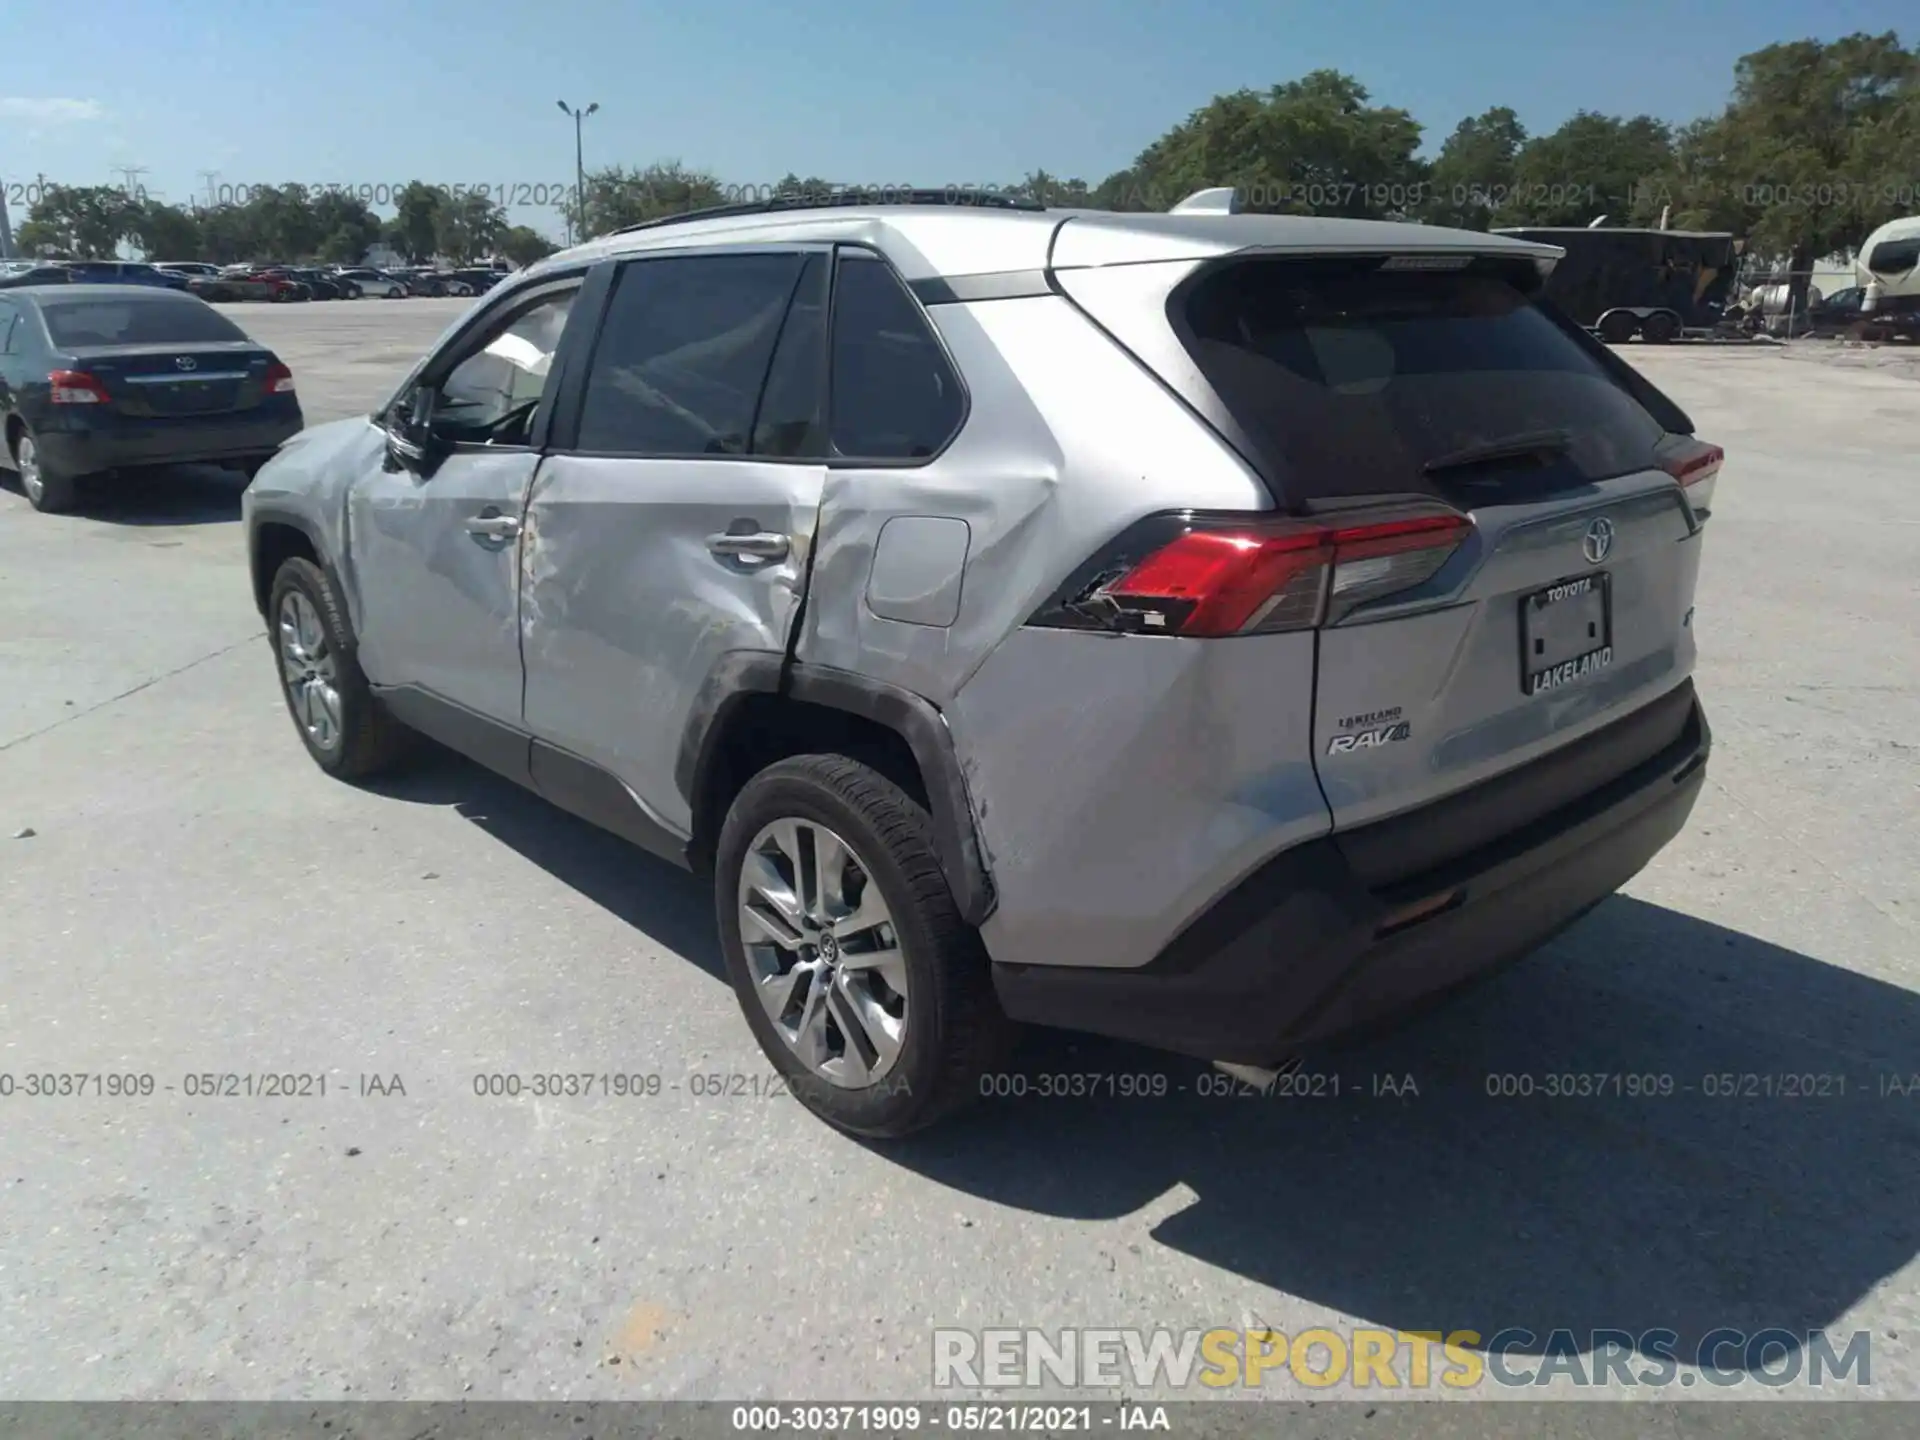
(848,953)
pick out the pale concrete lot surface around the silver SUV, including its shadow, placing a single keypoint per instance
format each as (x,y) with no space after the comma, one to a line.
(185,896)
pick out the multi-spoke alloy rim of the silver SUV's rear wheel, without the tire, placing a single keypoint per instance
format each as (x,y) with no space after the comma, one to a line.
(825,953)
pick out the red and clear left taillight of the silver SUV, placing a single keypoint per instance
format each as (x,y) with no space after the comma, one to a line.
(1253,575)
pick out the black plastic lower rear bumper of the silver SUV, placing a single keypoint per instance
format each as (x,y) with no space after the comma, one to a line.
(1307,949)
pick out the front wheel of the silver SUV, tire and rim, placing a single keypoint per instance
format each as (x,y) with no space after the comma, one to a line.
(335,711)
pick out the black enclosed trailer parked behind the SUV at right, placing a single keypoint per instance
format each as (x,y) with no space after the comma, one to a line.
(1650,283)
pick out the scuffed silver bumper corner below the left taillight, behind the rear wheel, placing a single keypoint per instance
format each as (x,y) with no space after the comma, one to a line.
(1124,782)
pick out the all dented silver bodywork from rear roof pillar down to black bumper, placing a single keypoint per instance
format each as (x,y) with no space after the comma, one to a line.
(1118,784)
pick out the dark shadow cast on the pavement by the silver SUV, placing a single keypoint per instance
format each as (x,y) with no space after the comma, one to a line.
(1740,1143)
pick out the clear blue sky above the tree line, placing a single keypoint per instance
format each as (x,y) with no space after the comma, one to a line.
(859,91)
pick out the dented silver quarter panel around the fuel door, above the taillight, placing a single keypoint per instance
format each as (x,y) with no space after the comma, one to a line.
(1067,443)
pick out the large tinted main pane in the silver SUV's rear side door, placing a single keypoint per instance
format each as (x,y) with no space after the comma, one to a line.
(684,352)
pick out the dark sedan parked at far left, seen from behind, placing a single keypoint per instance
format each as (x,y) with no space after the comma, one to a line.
(108,379)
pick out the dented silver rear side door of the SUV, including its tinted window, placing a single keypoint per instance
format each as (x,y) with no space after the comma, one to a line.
(675,514)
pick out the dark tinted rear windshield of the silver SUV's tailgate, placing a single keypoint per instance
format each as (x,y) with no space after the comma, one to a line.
(1356,381)
